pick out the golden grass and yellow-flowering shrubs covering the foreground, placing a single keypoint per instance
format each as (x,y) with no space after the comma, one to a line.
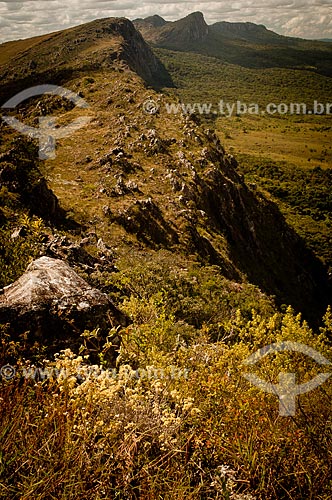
(176,419)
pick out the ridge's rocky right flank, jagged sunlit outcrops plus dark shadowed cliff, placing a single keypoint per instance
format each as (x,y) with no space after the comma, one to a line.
(205,209)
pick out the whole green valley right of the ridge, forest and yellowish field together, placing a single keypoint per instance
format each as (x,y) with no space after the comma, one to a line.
(288,157)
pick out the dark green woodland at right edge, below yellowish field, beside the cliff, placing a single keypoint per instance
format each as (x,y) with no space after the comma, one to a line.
(304,195)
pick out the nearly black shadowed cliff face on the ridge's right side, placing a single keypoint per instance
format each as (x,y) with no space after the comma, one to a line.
(280,265)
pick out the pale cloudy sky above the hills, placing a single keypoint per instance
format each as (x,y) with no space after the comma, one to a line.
(303,18)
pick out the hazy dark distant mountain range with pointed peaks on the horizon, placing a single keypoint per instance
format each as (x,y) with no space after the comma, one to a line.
(246,44)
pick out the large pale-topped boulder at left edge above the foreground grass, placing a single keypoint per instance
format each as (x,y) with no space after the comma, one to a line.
(55,305)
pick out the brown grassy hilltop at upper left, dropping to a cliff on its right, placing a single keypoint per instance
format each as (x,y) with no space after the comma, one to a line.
(105,43)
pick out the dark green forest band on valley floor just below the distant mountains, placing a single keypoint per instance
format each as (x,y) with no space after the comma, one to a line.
(202,78)
